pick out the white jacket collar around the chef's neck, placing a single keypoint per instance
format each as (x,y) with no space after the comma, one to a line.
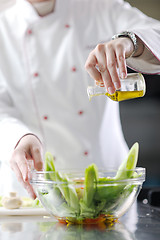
(29,14)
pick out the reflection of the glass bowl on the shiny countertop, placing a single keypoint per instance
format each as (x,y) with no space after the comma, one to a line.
(98,231)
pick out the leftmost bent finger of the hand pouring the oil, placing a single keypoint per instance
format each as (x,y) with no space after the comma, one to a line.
(91,67)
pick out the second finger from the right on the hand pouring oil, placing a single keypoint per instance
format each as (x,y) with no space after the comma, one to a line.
(112,67)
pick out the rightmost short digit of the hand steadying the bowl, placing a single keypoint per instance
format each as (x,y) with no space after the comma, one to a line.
(36,153)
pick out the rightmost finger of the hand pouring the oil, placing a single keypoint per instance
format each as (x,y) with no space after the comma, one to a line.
(121,61)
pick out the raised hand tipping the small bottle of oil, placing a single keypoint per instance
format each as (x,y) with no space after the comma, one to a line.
(105,60)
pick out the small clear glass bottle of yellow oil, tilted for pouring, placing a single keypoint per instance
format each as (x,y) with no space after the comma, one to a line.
(131,87)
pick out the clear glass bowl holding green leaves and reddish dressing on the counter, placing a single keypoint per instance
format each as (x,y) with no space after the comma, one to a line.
(70,199)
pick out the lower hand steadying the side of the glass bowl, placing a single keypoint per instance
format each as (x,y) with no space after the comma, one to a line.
(29,148)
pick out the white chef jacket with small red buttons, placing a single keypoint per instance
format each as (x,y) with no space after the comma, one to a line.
(43,81)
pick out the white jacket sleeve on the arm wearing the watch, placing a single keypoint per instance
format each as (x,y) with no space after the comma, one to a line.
(146,28)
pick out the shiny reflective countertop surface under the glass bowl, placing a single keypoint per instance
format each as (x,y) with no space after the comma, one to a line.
(143,225)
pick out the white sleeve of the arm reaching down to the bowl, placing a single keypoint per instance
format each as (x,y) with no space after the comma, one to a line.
(12,127)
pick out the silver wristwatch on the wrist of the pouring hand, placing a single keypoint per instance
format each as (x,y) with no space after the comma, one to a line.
(129,35)
